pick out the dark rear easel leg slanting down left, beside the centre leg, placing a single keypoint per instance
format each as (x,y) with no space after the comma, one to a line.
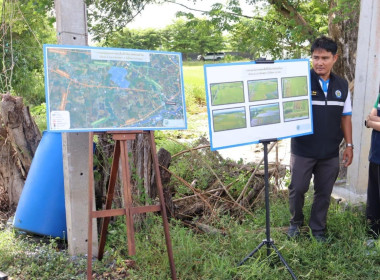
(110,193)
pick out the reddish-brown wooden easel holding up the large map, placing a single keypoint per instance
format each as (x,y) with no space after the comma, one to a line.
(121,152)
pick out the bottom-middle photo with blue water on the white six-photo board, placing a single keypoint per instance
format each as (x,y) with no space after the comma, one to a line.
(265,114)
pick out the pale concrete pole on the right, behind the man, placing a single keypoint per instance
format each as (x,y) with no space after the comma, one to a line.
(367,78)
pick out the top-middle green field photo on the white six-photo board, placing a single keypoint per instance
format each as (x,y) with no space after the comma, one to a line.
(262,90)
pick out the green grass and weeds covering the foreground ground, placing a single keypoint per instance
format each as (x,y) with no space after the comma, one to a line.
(208,256)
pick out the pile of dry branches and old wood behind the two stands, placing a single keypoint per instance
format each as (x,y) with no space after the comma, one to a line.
(198,183)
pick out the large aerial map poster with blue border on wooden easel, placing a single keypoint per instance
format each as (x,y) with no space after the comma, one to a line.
(106,89)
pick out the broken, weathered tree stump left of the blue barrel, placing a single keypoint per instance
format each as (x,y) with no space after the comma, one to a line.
(19,138)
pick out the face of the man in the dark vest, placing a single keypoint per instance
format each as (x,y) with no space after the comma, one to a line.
(323,61)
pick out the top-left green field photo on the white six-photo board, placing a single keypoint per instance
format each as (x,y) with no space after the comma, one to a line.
(227,93)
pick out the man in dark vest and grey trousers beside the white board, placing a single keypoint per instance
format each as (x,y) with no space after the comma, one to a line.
(318,154)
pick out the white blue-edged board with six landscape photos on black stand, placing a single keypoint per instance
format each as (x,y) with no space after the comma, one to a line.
(248,102)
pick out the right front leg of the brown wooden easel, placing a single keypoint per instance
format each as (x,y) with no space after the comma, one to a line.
(163,207)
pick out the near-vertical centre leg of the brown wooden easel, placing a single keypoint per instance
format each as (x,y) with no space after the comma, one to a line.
(127,198)
